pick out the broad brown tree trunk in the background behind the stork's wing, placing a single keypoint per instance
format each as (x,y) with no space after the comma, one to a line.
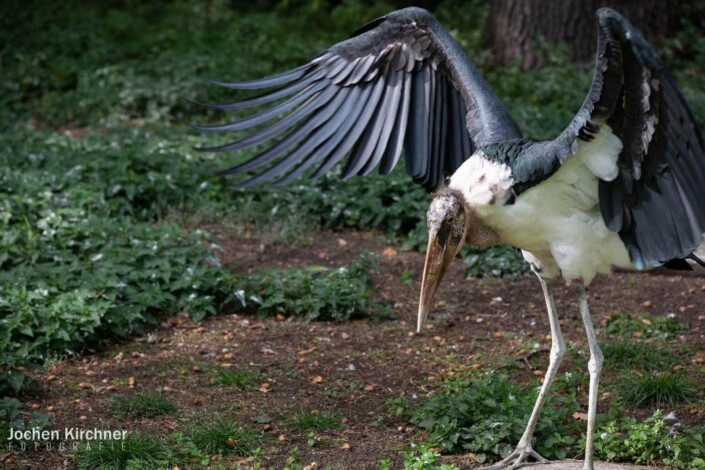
(515,27)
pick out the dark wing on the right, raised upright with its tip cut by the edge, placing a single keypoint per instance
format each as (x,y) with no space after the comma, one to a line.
(657,200)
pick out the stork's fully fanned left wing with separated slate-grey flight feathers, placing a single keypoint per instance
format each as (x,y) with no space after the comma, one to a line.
(400,81)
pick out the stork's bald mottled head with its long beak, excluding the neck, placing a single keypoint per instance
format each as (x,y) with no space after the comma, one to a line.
(447,227)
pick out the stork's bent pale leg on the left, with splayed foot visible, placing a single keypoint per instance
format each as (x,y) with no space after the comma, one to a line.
(524,450)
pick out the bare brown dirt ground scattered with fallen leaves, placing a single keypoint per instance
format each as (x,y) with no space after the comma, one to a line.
(350,368)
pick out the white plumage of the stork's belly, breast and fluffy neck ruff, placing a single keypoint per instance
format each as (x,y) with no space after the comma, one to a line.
(557,223)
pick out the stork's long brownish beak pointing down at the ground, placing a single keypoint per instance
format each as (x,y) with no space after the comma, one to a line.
(440,252)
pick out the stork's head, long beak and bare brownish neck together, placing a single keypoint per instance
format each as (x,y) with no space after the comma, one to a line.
(450,221)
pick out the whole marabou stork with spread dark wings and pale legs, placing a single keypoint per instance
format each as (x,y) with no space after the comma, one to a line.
(622,186)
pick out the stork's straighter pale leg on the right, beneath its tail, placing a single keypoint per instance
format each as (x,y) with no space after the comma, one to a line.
(595,367)
